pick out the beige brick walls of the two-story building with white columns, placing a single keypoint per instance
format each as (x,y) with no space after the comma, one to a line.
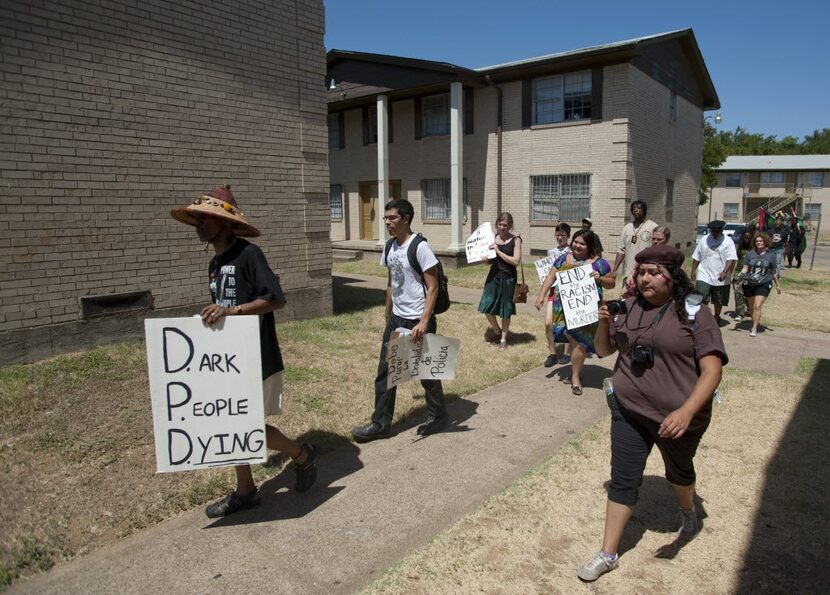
(629,153)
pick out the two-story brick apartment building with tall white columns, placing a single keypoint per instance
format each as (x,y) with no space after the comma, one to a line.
(555,138)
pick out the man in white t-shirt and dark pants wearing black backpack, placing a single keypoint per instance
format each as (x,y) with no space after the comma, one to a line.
(411,296)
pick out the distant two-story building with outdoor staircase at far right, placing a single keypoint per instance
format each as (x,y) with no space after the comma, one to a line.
(775,182)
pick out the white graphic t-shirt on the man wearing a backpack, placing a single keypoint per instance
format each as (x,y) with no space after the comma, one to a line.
(408,291)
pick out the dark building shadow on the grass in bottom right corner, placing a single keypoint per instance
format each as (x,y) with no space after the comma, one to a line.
(790,541)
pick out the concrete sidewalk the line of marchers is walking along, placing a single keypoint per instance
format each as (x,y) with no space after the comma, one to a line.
(375,504)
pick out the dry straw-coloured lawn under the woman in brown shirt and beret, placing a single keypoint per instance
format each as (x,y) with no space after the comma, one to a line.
(765,526)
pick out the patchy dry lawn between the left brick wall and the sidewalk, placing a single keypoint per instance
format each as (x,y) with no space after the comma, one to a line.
(76,445)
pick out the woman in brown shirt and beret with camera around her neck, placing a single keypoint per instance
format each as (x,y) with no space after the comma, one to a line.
(669,365)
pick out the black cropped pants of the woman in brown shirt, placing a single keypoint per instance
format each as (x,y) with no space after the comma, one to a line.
(632,437)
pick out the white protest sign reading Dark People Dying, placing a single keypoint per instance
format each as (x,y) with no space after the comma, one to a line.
(206,391)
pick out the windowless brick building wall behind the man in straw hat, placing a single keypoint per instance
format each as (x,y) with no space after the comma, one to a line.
(112,114)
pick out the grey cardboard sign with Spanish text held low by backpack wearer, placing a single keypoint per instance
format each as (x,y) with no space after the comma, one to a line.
(432,358)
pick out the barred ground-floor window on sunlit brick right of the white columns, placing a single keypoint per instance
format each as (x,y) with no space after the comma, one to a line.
(560,197)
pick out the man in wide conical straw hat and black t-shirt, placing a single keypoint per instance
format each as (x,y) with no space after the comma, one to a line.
(242,284)
